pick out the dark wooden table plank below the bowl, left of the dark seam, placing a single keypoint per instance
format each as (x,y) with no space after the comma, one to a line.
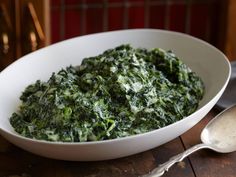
(15,162)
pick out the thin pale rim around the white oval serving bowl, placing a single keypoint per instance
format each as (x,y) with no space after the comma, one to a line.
(61,143)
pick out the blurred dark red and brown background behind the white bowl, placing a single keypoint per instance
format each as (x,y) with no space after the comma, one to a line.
(27,25)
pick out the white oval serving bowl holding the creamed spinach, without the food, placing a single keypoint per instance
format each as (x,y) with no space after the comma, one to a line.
(208,62)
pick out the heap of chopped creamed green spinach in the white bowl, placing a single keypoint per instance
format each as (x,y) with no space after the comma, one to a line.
(122,92)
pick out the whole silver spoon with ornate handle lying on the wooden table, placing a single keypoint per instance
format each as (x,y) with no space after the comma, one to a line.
(218,135)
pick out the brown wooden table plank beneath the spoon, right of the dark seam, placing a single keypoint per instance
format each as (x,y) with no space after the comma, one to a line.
(207,163)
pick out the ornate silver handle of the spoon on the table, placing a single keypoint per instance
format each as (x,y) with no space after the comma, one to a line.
(160,170)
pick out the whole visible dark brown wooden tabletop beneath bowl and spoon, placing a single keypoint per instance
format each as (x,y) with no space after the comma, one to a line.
(15,162)
